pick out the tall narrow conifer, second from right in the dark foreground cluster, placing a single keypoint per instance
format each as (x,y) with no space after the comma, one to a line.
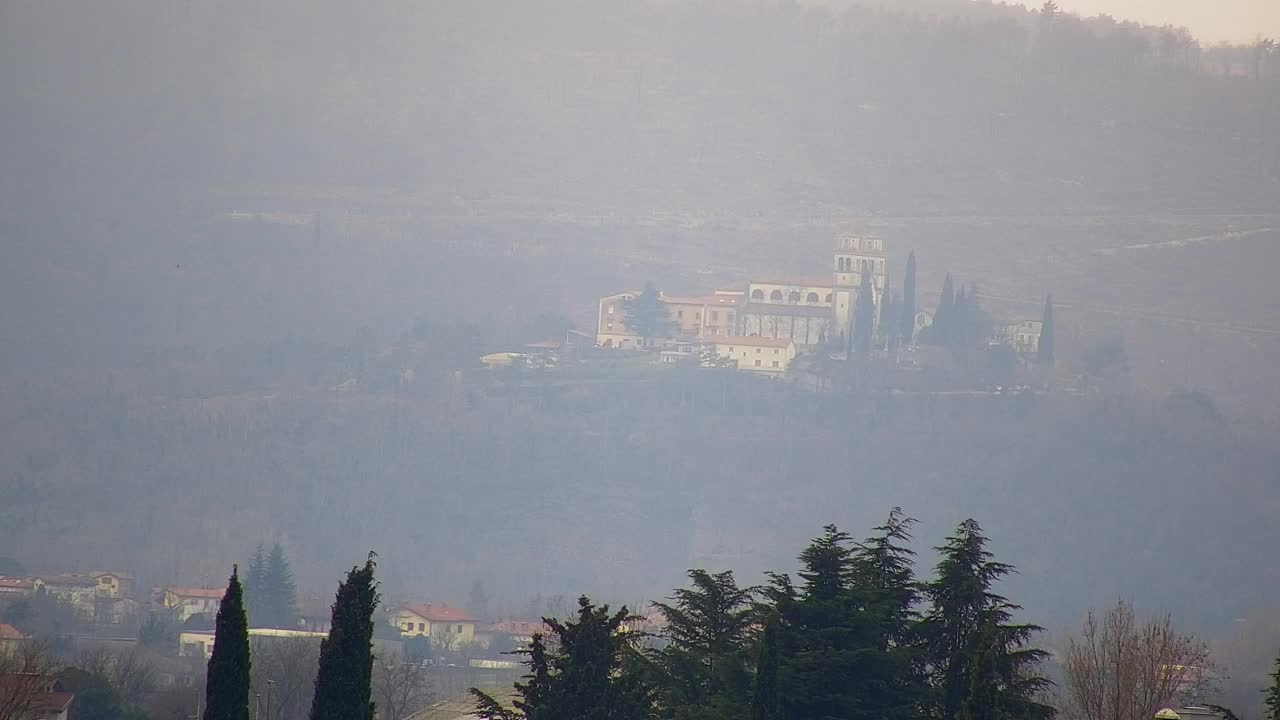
(885,581)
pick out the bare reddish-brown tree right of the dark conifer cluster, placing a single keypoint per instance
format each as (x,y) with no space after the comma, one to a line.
(1124,669)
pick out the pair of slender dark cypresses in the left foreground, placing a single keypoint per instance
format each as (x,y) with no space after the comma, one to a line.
(344,681)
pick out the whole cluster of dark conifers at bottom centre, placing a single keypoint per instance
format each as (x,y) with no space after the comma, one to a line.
(858,637)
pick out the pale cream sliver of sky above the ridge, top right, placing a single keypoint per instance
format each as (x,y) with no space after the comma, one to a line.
(1209,20)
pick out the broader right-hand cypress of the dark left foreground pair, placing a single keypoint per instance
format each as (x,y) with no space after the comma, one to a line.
(342,690)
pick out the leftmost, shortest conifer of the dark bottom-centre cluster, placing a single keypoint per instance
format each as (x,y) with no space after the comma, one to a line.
(592,675)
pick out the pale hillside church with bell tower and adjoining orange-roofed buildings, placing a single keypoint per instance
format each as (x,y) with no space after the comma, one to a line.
(808,312)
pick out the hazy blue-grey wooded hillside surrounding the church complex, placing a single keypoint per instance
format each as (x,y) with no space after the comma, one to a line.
(231,227)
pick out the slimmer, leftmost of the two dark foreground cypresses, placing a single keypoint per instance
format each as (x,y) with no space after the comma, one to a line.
(228,675)
